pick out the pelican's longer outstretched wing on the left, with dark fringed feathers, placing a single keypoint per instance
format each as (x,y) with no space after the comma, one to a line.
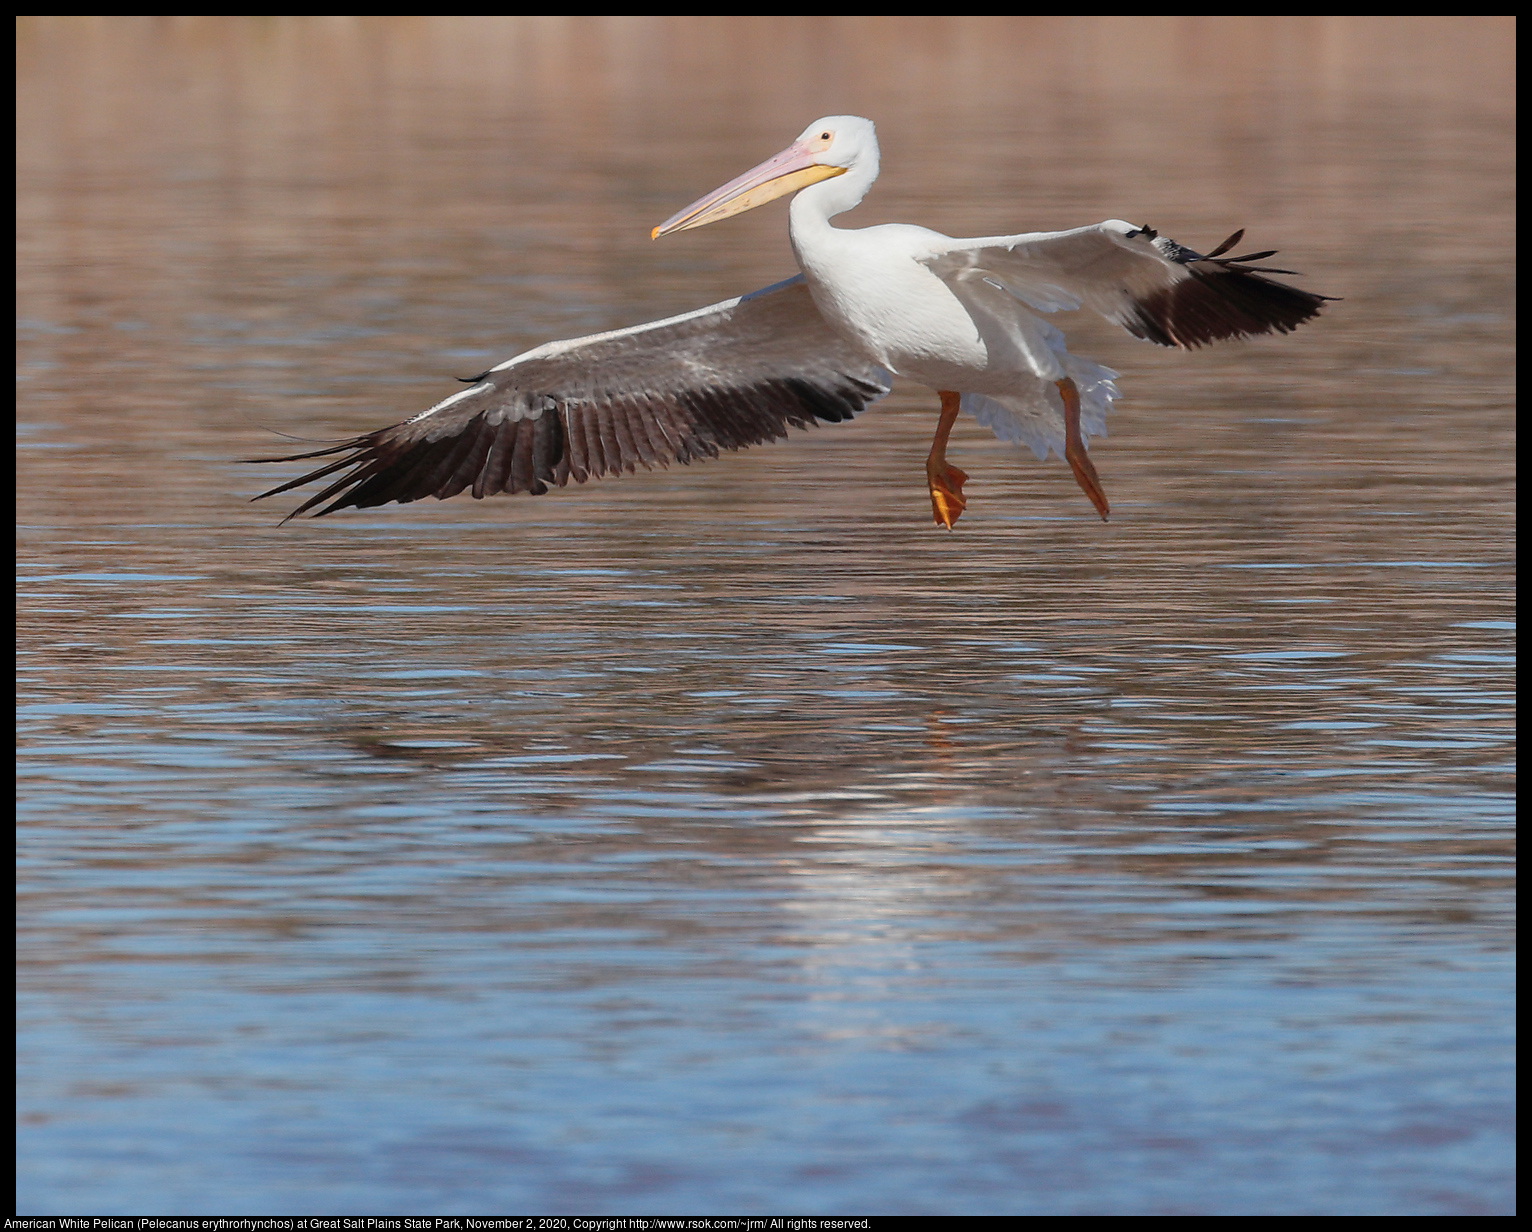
(724,378)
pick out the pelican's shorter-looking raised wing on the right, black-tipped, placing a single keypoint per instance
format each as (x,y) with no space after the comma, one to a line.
(1134,277)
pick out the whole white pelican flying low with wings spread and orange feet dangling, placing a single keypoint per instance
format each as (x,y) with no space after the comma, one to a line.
(963,316)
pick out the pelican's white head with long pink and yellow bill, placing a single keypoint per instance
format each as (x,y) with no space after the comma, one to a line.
(831,146)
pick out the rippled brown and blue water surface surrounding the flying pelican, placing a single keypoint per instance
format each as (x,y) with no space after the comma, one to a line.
(730,839)
